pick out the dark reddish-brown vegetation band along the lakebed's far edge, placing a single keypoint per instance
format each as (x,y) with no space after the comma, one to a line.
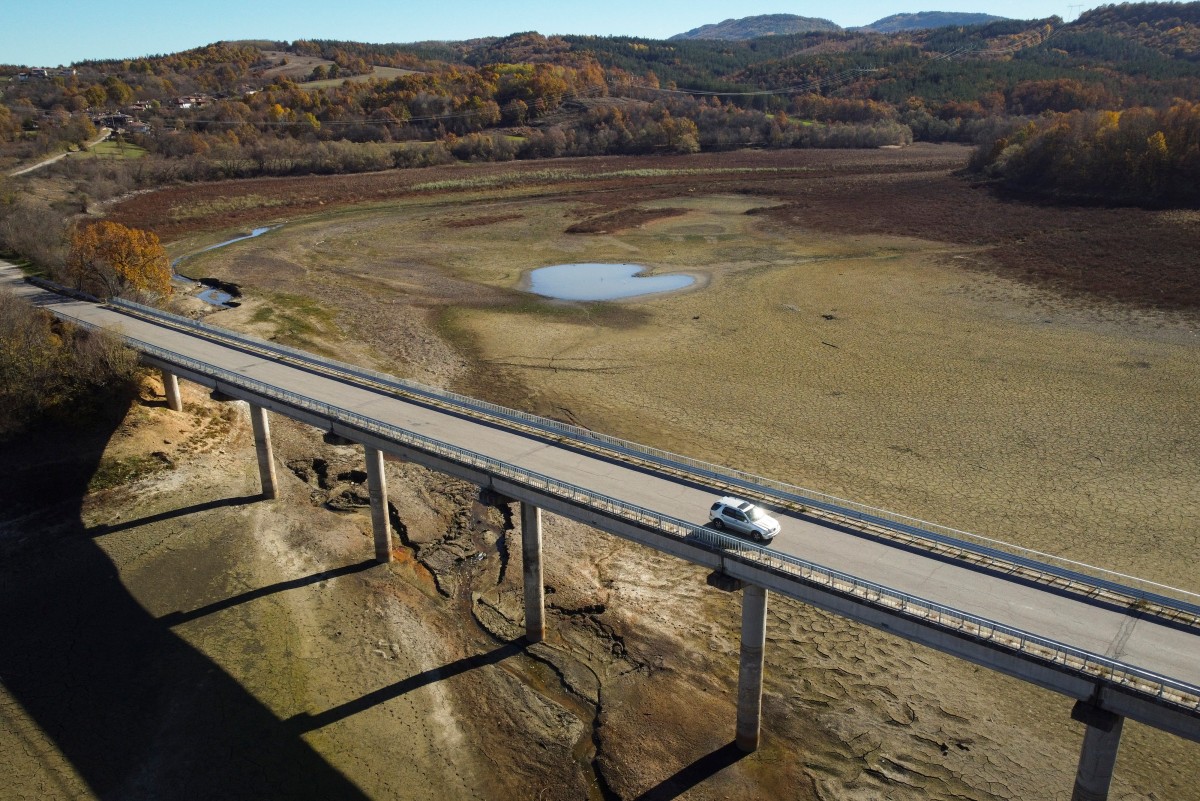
(1129,255)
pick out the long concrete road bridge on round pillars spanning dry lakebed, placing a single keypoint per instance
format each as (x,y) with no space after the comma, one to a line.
(1124,649)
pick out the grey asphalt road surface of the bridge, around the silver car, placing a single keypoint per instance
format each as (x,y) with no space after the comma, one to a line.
(1124,635)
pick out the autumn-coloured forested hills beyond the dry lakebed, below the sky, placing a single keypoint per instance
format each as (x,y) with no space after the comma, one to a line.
(237,110)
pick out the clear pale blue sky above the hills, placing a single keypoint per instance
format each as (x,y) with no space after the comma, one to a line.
(50,33)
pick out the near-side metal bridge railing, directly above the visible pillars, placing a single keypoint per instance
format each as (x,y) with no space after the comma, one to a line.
(1085,664)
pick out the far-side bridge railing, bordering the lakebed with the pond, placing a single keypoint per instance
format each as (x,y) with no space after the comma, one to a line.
(1070,570)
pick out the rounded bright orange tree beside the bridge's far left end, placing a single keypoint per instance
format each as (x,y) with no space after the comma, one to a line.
(109,260)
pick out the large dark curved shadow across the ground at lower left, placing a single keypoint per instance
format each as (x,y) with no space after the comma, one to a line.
(135,710)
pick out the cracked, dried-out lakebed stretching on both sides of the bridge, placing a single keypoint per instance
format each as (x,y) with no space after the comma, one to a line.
(179,639)
